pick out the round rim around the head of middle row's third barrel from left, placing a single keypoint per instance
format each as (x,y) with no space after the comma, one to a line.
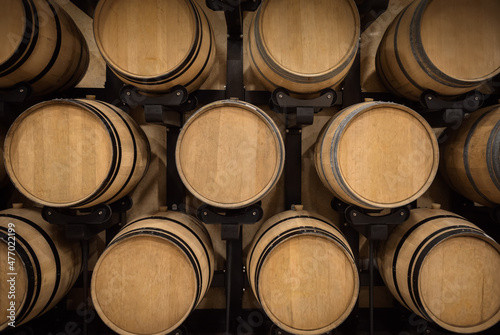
(362,108)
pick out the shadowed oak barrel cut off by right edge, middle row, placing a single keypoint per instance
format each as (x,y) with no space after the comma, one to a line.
(470,157)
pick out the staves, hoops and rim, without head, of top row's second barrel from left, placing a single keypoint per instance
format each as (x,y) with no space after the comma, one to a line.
(191,74)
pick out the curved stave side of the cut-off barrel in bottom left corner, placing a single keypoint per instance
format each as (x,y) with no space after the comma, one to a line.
(43,247)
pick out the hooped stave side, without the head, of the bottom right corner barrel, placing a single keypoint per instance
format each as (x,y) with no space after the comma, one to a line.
(411,238)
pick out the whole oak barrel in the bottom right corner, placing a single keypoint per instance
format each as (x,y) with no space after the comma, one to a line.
(445,269)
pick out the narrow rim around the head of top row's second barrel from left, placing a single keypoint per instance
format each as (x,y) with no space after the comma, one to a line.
(120,71)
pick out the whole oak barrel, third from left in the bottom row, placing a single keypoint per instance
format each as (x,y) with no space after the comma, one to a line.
(303,272)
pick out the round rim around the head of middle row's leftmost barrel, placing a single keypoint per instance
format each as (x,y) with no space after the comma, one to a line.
(11,172)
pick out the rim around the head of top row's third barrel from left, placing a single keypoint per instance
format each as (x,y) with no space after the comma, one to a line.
(303,77)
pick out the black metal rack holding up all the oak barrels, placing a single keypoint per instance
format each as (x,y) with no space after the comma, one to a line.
(169,110)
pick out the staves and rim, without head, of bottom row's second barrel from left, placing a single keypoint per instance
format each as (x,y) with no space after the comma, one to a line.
(190,231)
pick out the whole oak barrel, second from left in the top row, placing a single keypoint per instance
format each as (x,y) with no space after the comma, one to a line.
(155,44)
